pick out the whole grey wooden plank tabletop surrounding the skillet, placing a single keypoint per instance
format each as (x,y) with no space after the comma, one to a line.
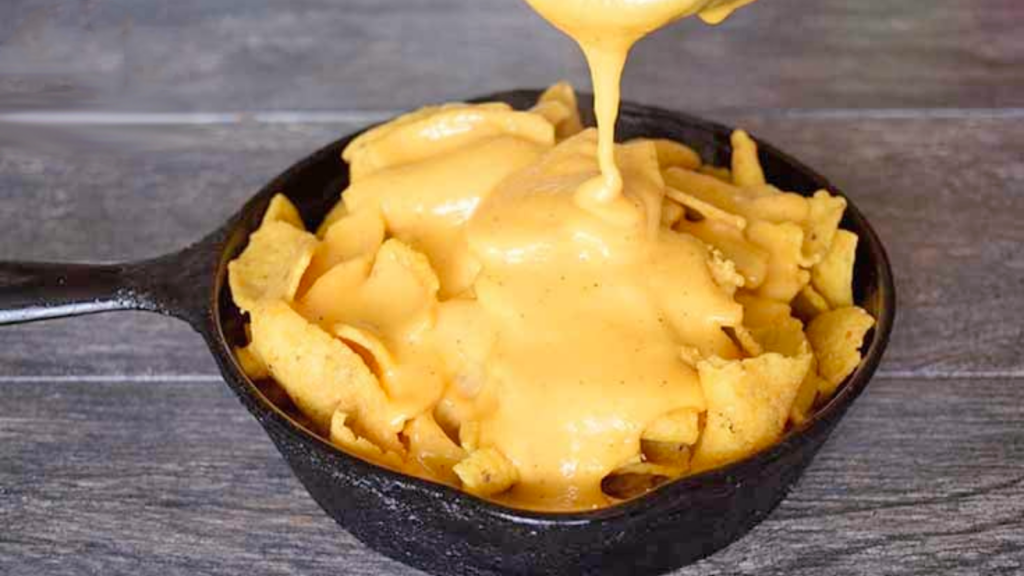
(129,130)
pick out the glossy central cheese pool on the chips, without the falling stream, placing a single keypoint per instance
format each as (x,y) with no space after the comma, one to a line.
(590,317)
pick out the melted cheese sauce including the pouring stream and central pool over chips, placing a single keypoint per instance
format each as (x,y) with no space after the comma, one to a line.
(564,304)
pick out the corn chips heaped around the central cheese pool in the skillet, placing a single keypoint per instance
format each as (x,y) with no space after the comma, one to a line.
(790,266)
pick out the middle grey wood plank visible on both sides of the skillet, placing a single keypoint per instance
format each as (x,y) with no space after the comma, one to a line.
(947,195)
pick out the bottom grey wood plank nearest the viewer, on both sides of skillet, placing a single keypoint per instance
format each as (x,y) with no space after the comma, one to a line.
(175,478)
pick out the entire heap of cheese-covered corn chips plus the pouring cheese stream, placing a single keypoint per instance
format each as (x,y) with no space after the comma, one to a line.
(510,304)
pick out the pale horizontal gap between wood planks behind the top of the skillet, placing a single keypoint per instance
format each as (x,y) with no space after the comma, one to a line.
(72,118)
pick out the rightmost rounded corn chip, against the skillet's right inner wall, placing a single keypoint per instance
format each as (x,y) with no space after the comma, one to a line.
(837,338)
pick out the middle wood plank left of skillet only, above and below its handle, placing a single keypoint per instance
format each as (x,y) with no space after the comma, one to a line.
(131,193)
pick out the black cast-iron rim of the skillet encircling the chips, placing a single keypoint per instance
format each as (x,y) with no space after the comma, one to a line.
(268,414)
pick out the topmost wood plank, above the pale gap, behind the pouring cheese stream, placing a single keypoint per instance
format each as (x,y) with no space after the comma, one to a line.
(312,55)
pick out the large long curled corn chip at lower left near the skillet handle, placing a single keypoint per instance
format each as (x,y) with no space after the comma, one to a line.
(321,375)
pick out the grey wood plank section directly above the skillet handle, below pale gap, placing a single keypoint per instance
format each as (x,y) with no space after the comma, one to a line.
(134,192)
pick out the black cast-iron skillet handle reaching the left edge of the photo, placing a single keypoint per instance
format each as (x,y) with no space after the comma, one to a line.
(178,285)
